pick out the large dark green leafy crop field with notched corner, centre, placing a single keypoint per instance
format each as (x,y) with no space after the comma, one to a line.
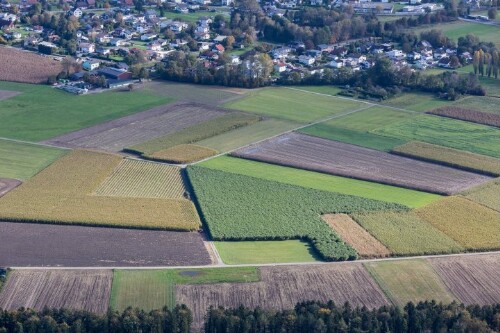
(237,207)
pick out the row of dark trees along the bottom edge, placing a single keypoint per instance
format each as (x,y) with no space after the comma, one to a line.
(311,317)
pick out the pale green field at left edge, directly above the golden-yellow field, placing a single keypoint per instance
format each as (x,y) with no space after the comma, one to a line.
(23,160)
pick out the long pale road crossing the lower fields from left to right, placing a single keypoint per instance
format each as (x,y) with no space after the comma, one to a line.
(319,263)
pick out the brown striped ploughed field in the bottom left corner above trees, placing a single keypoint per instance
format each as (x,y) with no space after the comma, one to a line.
(71,289)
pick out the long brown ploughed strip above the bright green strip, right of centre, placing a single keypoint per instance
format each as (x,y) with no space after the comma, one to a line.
(316,154)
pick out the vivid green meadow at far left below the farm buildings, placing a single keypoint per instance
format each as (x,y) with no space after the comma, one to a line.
(41,112)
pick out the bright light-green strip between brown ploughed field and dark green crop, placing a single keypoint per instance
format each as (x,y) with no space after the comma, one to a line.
(323,182)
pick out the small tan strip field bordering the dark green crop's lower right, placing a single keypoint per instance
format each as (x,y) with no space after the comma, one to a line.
(353,234)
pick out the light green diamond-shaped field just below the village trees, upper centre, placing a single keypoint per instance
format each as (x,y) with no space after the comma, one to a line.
(294,105)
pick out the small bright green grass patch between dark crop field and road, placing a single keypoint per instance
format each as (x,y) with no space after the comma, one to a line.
(265,252)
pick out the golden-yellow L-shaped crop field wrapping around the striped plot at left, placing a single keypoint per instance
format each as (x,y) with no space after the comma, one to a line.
(62,194)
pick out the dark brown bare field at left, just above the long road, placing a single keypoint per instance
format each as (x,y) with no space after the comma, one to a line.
(23,245)
